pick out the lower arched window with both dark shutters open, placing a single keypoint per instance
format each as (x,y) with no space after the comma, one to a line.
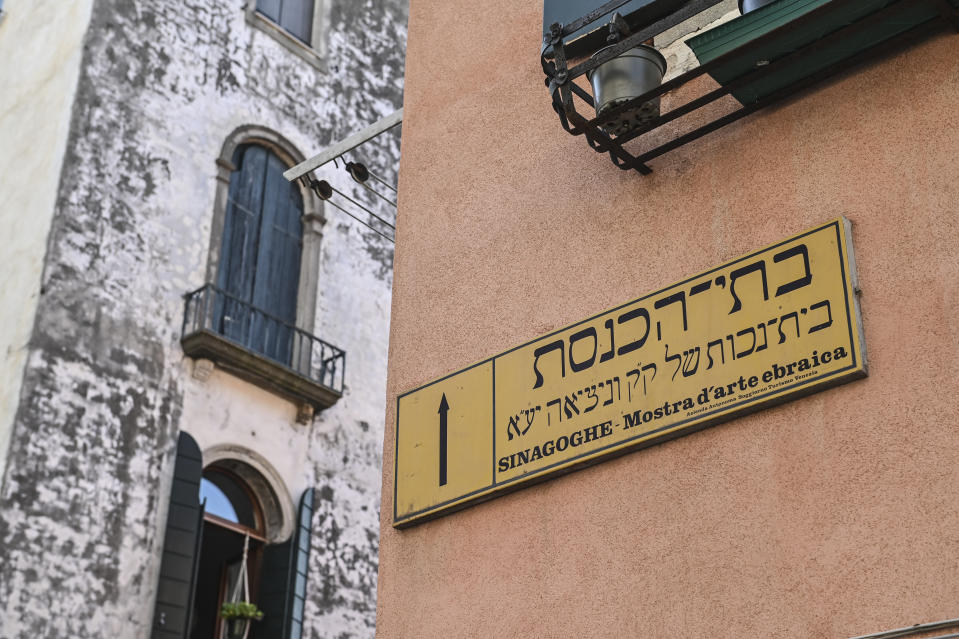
(214,513)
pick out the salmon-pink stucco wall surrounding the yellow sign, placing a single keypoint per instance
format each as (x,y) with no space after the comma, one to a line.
(829,516)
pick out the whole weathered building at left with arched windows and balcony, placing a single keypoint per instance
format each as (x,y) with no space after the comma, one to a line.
(142,144)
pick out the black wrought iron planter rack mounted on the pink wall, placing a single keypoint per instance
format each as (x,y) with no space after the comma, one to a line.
(662,15)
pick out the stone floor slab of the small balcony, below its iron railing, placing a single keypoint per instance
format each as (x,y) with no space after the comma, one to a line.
(258,369)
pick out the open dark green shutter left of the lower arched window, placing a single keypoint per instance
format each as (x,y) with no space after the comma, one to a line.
(181,544)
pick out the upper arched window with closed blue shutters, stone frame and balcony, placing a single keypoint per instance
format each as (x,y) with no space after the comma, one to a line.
(256,313)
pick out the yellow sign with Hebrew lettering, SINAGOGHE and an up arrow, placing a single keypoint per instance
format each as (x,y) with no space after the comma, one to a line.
(770,326)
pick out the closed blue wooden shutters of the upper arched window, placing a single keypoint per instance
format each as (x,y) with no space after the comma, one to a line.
(259,268)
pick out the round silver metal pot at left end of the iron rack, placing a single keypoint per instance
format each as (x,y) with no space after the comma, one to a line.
(627,76)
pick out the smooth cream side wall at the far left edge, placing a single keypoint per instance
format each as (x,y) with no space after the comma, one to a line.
(40,45)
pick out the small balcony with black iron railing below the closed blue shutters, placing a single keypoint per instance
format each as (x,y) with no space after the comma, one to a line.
(261,348)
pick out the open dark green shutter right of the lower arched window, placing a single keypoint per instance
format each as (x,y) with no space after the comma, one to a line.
(283,585)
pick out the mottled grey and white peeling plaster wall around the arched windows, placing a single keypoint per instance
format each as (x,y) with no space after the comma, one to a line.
(106,387)
